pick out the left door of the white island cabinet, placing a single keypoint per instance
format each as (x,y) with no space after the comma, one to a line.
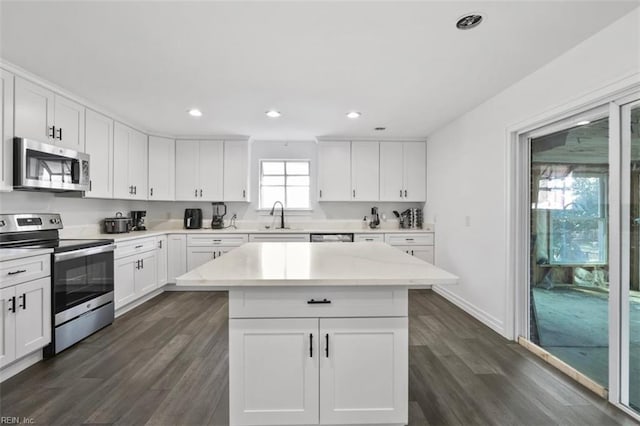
(275,364)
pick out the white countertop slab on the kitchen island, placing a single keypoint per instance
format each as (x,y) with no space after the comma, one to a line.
(315,264)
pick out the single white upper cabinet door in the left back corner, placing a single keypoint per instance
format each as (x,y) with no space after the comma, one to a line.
(162,169)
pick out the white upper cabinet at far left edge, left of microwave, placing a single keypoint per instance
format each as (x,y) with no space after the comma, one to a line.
(6,131)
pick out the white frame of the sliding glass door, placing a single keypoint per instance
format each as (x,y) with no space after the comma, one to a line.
(613,99)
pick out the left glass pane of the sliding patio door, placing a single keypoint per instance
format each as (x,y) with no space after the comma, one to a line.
(569,230)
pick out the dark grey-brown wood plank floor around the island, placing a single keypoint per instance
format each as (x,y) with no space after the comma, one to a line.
(165,363)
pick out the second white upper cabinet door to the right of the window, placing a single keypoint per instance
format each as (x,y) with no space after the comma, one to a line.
(365,171)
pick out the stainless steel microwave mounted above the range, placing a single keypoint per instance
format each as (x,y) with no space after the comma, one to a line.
(45,167)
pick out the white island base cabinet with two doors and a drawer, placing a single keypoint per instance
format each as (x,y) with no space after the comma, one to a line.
(327,370)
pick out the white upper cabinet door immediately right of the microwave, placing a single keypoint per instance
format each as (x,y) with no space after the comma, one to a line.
(99,145)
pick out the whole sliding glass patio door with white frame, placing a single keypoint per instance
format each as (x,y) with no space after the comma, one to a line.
(580,245)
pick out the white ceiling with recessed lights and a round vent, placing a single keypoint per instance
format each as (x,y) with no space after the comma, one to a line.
(404,65)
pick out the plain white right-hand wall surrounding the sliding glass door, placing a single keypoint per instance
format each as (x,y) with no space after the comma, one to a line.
(466,164)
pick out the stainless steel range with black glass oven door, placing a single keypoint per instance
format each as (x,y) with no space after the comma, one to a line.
(82,276)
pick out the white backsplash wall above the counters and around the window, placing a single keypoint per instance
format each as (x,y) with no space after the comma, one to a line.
(77,212)
